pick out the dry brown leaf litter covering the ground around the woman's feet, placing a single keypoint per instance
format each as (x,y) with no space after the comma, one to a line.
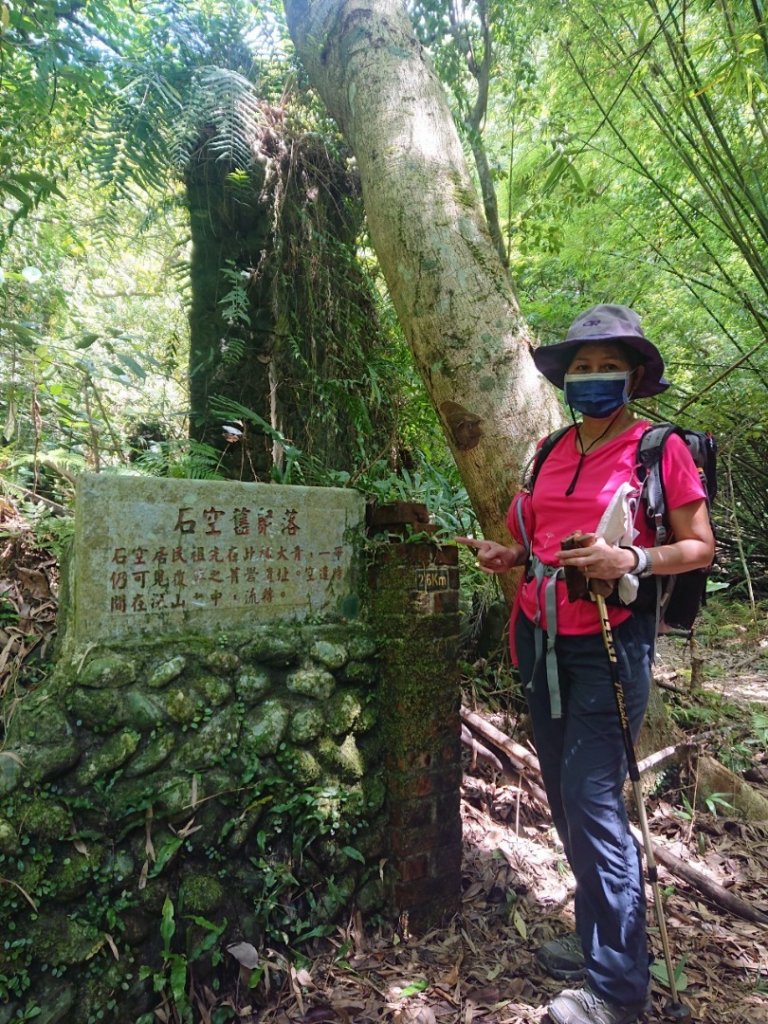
(519,893)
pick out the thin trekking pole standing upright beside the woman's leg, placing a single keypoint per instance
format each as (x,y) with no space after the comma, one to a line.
(675,1010)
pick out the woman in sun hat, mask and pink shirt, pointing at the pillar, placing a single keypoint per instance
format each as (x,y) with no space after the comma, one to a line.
(605,362)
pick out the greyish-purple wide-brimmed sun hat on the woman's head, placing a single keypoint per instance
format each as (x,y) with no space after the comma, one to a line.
(605,324)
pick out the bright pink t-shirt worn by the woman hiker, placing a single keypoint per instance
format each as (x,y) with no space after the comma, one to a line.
(552,515)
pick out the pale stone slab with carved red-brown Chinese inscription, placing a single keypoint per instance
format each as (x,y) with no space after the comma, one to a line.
(154,557)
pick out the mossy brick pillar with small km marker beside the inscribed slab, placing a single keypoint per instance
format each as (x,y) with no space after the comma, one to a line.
(415,609)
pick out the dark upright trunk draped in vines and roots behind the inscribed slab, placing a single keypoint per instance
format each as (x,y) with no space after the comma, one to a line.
(281,310)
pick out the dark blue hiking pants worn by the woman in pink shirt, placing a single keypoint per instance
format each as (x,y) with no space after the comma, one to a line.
(584,765)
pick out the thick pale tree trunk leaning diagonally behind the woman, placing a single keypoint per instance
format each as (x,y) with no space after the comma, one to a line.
(453,296)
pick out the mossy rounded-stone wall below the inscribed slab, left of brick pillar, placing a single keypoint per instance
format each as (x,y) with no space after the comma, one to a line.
(237,780)
